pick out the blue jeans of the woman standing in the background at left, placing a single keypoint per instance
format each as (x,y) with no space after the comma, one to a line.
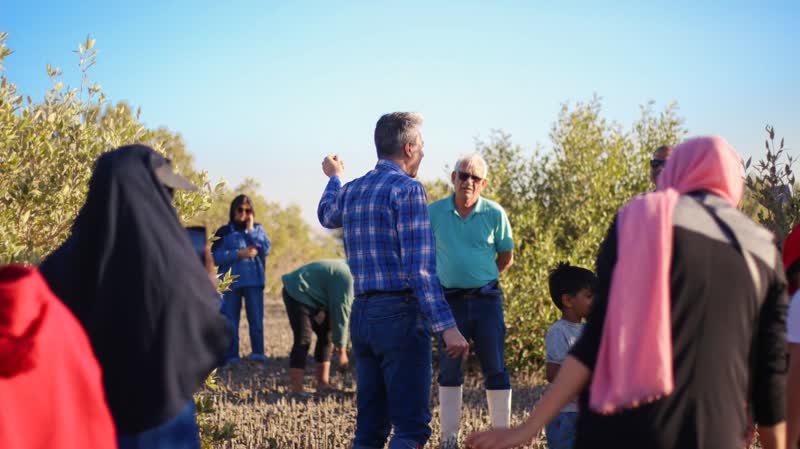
(254,306)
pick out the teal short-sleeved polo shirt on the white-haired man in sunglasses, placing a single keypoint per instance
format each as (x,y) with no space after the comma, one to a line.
(466,248)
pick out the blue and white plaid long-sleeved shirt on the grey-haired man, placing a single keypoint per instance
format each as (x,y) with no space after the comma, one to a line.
(387,236)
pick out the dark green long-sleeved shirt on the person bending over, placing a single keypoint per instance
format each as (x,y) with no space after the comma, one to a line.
(325,284)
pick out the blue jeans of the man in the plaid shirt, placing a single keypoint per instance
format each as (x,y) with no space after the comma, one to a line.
(392,348)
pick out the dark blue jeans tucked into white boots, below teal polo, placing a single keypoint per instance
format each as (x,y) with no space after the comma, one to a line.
(479,319)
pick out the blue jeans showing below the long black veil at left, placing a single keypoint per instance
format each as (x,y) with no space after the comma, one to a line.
(178,433)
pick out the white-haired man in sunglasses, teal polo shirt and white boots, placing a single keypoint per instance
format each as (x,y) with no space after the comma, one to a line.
(473,247)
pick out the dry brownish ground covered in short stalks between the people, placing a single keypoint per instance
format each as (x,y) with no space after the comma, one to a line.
(252,408)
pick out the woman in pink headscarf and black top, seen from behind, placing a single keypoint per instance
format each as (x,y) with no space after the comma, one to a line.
(687,325)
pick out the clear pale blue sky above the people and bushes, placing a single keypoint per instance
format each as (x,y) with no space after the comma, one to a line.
(266,89)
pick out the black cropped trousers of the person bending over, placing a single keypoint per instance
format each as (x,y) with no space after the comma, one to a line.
(304,320)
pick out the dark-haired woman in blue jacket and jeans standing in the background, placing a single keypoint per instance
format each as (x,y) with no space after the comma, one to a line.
(242,247)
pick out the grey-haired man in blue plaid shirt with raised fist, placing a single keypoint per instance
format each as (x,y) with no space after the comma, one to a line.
(399,301)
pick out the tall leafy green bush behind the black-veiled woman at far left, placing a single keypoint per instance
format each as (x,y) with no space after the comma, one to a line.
(49,149)
